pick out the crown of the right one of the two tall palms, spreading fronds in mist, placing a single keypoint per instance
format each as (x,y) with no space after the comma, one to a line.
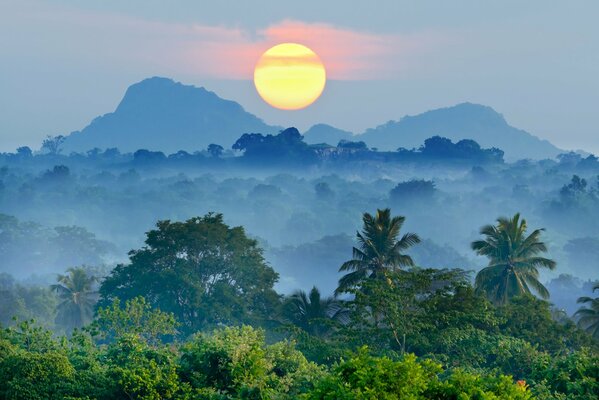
(513,260)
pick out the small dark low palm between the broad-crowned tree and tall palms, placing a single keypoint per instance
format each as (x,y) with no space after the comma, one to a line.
(311,312)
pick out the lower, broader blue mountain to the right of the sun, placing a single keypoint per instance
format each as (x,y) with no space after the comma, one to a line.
(463,121)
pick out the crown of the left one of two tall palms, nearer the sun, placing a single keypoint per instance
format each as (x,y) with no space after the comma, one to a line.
(379,250)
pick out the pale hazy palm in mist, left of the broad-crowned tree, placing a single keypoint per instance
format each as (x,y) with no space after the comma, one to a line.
(77,298)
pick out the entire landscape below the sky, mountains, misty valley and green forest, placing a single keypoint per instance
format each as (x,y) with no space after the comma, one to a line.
(172,265)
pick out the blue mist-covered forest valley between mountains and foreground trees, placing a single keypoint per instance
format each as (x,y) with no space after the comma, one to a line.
(303,206)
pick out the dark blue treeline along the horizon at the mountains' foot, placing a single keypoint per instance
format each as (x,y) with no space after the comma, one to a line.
(286,148)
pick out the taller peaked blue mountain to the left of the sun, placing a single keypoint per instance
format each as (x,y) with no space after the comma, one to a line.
(161,114)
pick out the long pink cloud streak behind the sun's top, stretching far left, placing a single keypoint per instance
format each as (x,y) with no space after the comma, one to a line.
(120,41)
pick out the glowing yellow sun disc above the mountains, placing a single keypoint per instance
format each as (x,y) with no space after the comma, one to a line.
(289,76)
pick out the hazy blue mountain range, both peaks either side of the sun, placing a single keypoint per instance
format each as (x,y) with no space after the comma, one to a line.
(161,114)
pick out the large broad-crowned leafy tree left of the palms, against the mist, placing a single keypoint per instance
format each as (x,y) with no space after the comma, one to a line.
(201,270)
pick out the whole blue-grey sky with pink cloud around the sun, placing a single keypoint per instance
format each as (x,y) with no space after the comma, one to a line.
(65,62)
